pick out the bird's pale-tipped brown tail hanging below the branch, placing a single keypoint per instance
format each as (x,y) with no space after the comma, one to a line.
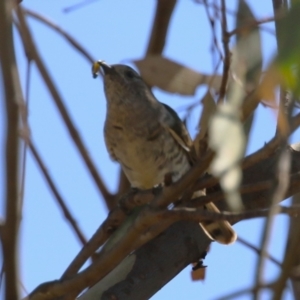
(220,231)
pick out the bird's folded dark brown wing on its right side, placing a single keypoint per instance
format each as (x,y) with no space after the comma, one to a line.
(179,132)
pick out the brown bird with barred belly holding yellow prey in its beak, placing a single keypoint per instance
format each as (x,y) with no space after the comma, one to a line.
(148,138)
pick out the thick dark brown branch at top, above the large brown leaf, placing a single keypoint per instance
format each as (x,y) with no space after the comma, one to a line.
(164,10)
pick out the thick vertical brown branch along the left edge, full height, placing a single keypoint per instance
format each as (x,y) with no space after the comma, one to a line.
(12,93)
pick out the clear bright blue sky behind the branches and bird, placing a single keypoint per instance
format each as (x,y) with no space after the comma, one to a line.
(118,32)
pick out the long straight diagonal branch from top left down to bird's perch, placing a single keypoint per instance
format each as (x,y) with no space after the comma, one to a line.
(31,48)
